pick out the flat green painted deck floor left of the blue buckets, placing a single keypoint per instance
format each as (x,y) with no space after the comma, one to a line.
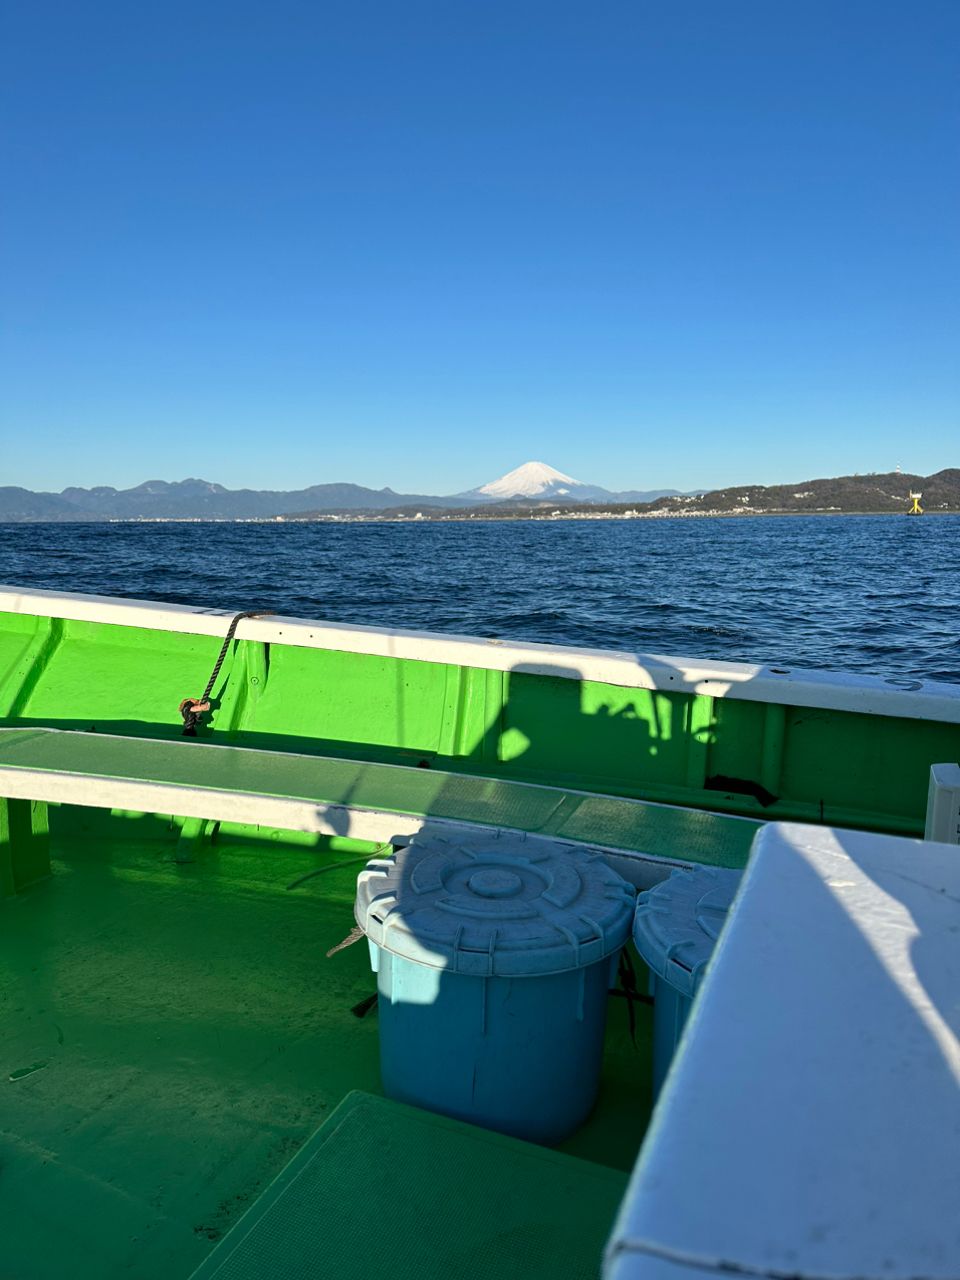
(172,1035)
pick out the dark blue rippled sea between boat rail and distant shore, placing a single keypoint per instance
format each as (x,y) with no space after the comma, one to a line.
(877,595)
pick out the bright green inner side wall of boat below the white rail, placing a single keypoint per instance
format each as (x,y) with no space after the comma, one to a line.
(721,744)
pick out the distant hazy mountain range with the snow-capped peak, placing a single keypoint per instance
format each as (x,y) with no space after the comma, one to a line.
(200,500)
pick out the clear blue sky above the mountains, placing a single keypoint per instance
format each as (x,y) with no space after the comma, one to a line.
(417,244)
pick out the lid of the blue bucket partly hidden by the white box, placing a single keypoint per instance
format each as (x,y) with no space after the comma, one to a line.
(679,921)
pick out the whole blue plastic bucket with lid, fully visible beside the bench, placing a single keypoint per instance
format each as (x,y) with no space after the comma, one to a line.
(493,963)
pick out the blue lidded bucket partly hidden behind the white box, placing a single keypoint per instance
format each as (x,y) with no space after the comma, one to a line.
(675,931)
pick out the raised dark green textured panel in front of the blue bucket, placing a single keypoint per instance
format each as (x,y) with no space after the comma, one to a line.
(458,1201)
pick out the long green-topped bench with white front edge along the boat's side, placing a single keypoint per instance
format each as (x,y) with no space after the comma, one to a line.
(362,801)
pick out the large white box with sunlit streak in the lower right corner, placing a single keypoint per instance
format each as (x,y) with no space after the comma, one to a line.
(810,1122)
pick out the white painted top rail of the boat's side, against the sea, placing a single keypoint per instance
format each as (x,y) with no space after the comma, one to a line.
(927,701)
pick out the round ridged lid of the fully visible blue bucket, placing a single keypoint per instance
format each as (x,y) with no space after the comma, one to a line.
(495,906)
